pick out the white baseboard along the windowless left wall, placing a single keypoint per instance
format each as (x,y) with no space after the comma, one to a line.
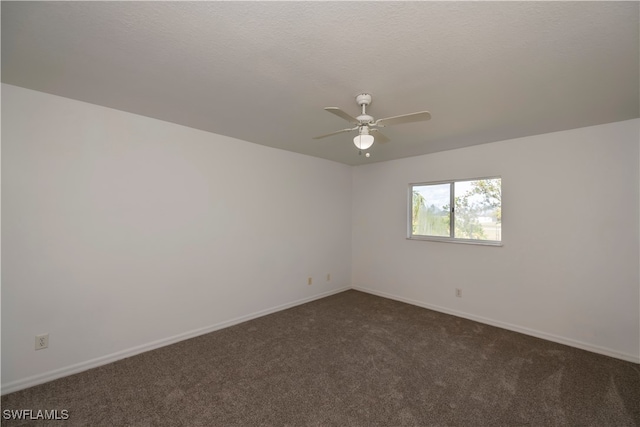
(94,363)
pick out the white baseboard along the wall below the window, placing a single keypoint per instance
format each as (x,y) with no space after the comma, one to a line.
(509,326)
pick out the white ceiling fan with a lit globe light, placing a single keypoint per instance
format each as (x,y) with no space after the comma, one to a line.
(367,126)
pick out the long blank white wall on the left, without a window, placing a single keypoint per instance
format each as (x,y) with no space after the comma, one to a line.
(121,233)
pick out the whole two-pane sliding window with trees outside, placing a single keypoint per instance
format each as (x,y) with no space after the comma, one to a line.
(468,211)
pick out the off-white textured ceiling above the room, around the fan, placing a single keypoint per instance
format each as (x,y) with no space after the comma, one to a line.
(263,71)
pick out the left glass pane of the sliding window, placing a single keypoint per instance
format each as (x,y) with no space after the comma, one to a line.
(430,210)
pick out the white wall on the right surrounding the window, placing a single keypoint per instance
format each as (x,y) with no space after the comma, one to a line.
(568,270)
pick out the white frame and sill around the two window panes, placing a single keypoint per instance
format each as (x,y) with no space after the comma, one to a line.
(451,238)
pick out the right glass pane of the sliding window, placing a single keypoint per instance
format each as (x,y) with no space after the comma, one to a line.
(478,210)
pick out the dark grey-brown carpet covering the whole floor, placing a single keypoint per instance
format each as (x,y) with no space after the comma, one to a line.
(351,359)
